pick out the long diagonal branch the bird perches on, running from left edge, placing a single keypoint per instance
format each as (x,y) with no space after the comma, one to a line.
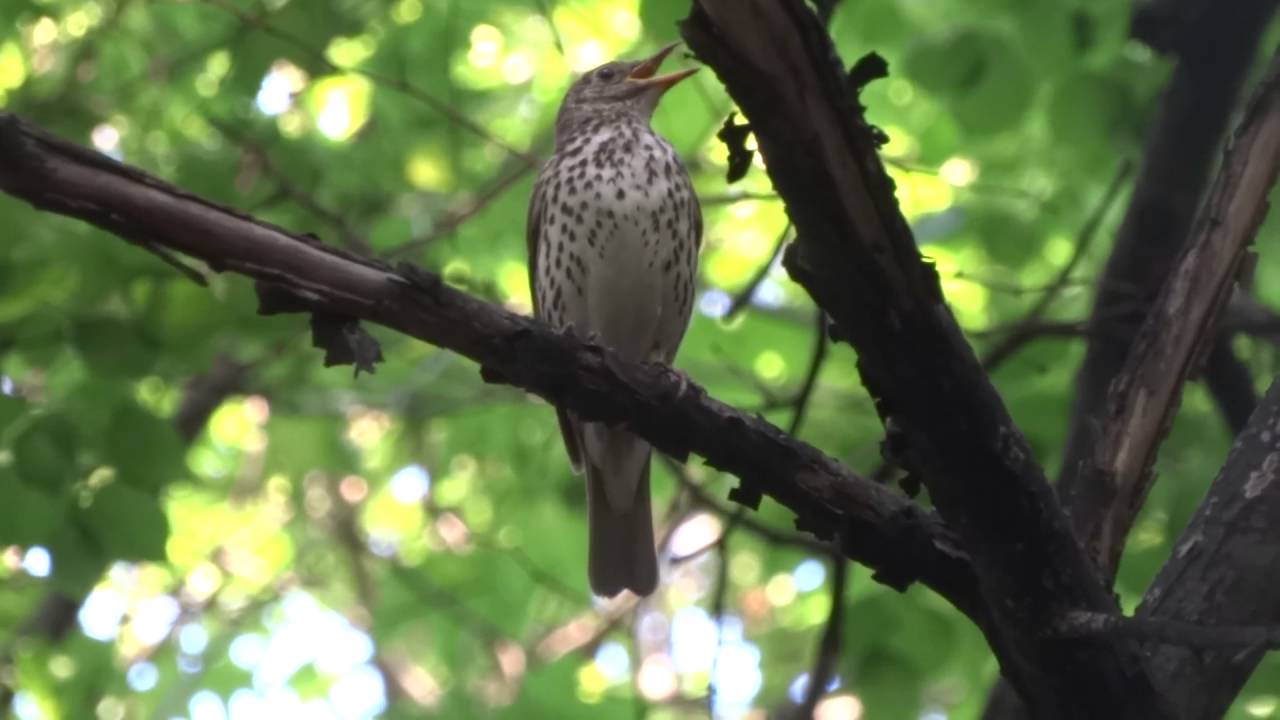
(881,528)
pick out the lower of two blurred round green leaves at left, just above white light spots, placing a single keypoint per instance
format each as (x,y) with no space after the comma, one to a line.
(127,523)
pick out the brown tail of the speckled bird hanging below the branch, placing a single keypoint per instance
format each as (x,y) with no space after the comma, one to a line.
(621,552)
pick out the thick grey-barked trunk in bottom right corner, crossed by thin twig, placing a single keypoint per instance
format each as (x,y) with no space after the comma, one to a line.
(1223,572)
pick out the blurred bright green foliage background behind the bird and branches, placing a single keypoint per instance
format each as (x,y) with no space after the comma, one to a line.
(413,543)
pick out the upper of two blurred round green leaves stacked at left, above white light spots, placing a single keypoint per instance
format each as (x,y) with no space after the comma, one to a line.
(145,450)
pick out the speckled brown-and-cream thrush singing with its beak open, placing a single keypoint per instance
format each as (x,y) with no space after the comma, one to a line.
(614,234)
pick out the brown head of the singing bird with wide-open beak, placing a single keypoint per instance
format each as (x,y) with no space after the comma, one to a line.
(618,89)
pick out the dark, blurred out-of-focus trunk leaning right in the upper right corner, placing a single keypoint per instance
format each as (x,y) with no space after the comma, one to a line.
(1176,171)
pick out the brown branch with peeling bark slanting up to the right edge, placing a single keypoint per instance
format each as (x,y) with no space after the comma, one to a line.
(1180,329)
